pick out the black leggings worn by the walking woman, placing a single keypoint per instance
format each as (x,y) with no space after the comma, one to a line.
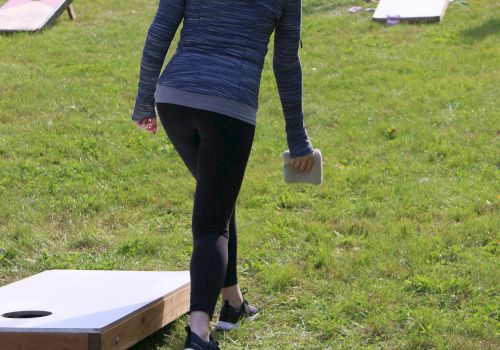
(215,148)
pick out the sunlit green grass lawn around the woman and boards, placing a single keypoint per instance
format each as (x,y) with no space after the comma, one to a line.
(397,249)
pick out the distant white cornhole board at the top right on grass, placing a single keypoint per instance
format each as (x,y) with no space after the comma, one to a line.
(411,10)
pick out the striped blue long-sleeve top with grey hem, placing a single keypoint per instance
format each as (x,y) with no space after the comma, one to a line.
(219,59)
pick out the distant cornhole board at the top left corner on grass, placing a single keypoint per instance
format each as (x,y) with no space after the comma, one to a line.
(30,16)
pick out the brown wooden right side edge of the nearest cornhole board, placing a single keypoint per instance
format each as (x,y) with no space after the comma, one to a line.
(131,329)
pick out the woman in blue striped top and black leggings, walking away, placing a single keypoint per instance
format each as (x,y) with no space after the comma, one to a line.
(206,99)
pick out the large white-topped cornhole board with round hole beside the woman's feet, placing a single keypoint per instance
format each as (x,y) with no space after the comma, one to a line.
(91,310)
